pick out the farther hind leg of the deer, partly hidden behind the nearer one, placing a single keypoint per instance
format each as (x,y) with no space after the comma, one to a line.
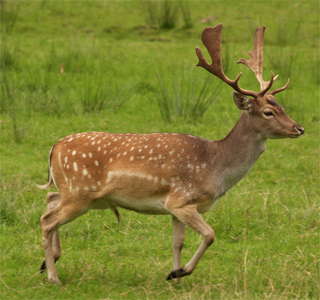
(52,202)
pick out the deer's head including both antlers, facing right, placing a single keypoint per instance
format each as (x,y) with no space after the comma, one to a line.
(267,117)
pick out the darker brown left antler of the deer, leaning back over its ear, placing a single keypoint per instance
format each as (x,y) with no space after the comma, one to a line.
(211,38)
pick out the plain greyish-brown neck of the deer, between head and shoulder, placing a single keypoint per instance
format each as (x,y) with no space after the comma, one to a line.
(234,155)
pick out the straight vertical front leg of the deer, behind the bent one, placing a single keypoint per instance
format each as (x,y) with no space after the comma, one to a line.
(177,245)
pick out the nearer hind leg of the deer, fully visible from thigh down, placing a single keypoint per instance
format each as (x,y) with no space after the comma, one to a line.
(63,213)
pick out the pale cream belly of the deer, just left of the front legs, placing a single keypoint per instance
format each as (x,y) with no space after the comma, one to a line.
(149,205)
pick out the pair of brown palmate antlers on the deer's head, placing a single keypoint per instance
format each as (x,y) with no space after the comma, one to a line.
(211,38)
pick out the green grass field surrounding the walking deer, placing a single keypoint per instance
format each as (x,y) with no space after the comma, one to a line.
(72,66)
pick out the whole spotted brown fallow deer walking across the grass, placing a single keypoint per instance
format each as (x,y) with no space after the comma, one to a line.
(164,173)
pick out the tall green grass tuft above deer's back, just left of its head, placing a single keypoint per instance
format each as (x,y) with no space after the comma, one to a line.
(185,95)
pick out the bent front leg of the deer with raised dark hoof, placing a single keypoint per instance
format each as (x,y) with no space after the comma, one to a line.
(189,215)
